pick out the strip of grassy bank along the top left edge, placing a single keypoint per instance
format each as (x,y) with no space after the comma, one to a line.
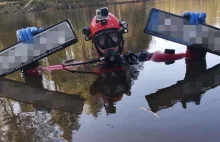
(15,7)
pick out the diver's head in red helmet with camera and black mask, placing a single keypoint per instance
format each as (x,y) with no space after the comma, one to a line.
(106,32)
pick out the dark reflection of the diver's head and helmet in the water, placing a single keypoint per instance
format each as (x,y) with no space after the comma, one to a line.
(111,84)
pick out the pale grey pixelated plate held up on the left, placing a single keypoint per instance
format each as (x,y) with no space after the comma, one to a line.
(45,43)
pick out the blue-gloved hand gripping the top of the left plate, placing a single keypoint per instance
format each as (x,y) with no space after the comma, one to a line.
(27,34)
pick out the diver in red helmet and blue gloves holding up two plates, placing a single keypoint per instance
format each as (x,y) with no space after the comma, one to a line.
(106,33)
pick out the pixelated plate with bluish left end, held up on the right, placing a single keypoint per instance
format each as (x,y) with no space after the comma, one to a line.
(174,28)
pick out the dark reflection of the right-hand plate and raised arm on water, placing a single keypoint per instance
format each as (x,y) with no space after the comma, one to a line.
(197,81)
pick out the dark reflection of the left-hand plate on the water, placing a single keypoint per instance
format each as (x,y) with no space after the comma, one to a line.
(41,97)
